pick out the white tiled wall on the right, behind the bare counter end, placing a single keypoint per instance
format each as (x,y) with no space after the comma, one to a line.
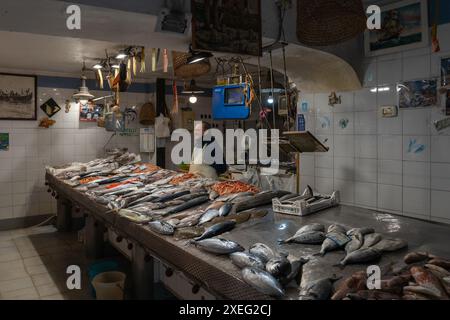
(372,161)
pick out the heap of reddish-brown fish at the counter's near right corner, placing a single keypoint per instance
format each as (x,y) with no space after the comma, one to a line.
(423,277)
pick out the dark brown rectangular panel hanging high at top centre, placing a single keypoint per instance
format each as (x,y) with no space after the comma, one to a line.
(227,26)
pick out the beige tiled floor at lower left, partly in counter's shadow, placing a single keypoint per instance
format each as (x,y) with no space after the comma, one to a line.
(33,264)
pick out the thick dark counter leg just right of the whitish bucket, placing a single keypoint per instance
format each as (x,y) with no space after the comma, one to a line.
(142,274)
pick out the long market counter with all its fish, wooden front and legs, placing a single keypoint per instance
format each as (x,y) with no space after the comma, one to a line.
(225,238)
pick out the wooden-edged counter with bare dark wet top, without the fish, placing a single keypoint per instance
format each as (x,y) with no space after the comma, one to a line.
(222,278)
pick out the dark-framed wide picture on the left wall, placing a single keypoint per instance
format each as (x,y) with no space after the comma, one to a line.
(18,97)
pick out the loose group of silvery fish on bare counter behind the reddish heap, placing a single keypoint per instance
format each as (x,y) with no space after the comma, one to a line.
(361,245)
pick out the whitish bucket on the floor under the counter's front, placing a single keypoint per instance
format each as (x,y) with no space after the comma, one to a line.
(109,285)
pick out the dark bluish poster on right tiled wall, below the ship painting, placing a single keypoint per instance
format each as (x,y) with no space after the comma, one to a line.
(417,94)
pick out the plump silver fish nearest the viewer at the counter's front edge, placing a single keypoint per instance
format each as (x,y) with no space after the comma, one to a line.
(262,281)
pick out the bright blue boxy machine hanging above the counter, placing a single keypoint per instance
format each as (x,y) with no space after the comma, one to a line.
(229,102)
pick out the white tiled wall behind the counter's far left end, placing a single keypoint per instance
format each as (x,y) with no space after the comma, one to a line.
(31,148)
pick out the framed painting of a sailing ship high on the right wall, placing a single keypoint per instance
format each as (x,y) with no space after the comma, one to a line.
(404,26)
